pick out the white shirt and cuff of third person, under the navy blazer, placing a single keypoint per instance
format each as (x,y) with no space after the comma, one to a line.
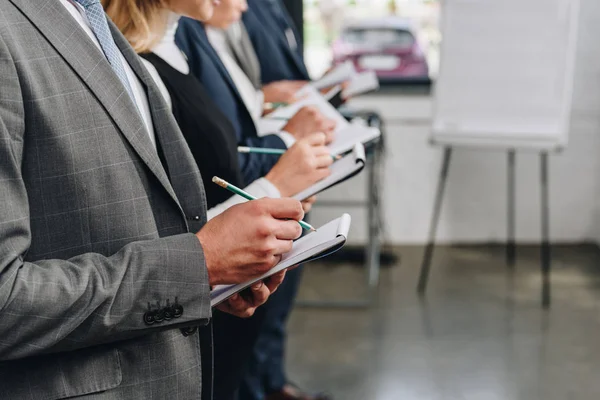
(253,99)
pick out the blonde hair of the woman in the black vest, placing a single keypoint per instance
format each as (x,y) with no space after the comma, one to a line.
(142,22)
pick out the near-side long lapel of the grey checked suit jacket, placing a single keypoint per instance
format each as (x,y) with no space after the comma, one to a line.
(73,44)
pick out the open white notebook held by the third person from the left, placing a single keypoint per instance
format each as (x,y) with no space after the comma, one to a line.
(347,134)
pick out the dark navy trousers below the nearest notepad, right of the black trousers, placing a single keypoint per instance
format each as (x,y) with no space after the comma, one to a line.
(266,372)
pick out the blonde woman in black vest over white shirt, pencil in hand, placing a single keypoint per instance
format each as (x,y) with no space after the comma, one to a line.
(150,26)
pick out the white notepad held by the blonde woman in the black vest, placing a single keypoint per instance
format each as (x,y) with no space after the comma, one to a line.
(341,170)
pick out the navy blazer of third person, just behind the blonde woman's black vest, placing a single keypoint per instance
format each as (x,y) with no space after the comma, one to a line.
(206,65)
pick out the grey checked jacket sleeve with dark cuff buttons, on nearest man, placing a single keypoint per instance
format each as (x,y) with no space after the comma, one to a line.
(56,305)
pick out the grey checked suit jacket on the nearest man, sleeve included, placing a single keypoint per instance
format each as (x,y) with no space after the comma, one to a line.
(98,270)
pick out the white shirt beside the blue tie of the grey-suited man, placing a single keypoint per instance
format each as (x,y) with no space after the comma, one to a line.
(139,94)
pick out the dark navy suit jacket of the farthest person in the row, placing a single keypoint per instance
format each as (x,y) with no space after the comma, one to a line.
(267,23)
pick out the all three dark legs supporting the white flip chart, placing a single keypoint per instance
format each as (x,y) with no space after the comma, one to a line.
(510,243)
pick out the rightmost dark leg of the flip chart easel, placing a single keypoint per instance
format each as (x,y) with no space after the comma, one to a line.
(545,249)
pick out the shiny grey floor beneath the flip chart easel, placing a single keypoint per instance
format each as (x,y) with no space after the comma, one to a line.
(480,333)
